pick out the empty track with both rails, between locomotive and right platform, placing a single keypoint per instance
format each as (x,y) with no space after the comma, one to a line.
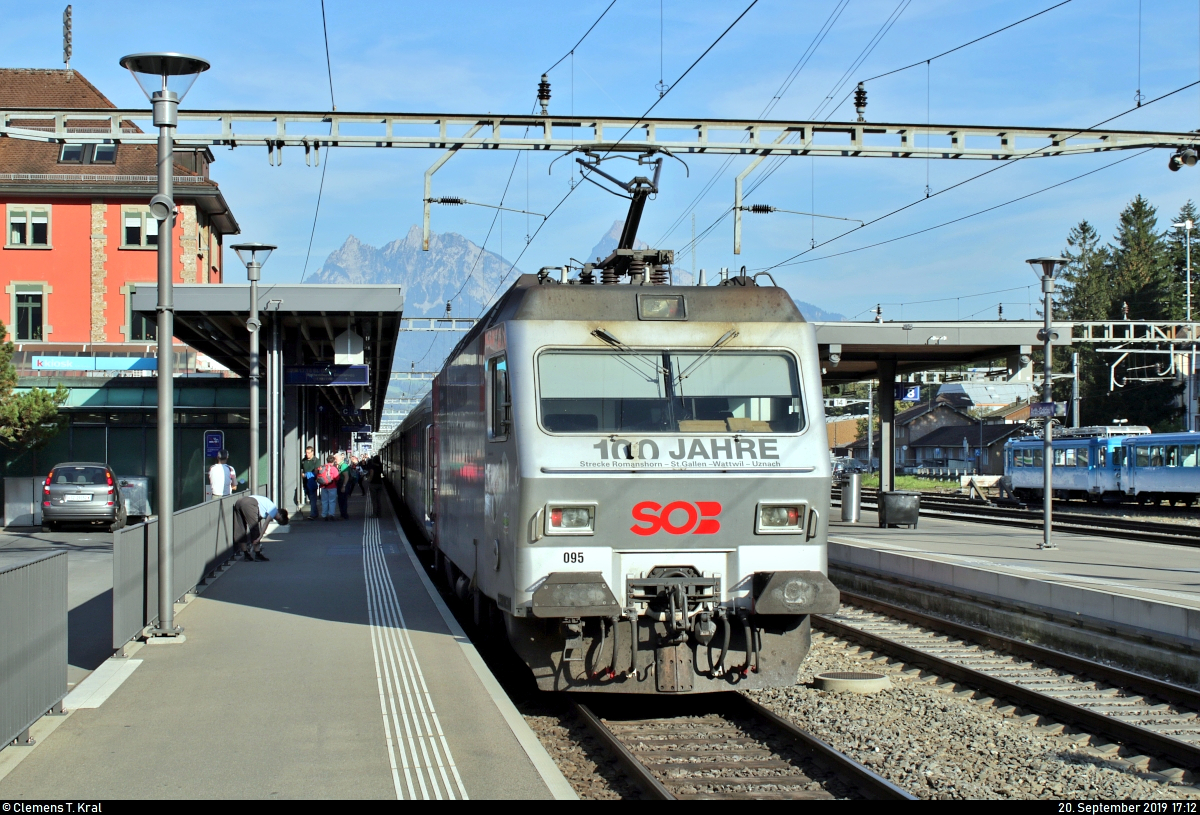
(1157,718)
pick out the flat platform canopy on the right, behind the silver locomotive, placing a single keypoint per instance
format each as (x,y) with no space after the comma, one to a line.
(853,352)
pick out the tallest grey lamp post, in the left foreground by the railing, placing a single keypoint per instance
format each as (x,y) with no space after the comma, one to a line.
(166,79)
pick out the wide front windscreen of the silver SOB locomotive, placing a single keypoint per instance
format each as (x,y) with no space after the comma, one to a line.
(587,392)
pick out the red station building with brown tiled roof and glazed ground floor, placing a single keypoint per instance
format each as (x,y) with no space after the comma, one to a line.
(79,241)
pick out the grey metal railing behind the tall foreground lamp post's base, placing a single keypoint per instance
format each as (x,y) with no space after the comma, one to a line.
(203,543)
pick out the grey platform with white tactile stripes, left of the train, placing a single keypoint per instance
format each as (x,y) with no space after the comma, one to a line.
(332,672)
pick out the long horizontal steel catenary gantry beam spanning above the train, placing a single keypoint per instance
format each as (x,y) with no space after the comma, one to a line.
(749,137)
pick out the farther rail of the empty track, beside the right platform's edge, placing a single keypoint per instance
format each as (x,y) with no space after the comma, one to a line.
(1142,685)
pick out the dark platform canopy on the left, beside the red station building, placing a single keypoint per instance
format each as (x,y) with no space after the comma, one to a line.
(212,319)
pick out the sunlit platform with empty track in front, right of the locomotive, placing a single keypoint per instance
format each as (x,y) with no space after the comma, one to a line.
(1126,602)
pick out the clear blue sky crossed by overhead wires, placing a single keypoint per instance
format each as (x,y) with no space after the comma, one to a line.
(1073,67)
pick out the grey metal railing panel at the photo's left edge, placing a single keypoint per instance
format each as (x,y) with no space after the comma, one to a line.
(33,643)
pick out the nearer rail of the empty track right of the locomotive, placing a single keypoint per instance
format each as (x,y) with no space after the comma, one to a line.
(1183,753)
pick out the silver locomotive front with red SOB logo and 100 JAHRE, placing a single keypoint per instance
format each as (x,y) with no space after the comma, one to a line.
(657,488)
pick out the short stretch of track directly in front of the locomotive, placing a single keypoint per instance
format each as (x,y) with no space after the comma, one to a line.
(735,750)
